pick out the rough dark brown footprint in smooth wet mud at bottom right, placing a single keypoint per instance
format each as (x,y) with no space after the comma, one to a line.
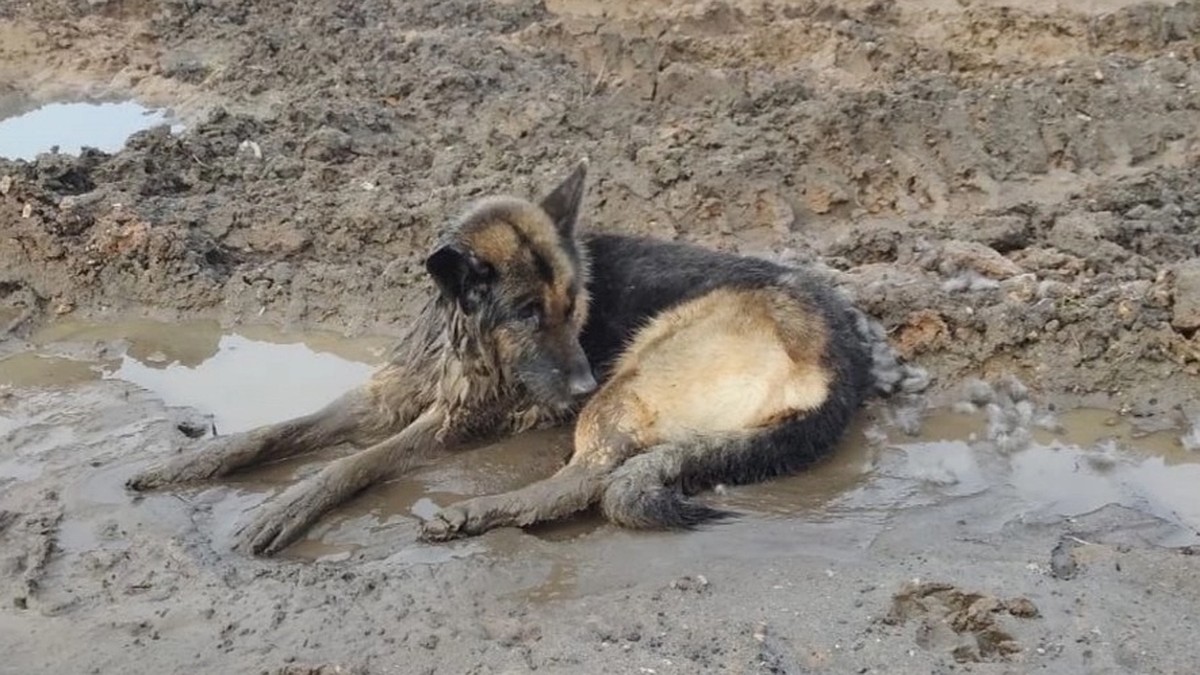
(968,625)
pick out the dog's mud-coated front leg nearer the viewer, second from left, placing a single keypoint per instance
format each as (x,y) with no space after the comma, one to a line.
(289,517)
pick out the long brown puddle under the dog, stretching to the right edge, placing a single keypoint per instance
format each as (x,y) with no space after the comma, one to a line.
(833,513)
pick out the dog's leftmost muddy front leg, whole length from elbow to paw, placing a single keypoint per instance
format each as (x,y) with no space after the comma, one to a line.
(364,416)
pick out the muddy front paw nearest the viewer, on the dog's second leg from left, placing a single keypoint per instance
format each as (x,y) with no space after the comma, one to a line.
(285,519)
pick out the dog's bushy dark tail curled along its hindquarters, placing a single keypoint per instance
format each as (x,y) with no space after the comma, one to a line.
(653,489)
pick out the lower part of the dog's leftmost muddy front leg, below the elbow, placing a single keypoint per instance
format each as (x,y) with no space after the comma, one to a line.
(225,455)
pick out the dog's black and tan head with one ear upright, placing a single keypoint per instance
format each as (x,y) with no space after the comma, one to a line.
(518,271)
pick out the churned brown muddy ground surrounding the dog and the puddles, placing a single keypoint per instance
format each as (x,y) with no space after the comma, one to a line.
(1013,189)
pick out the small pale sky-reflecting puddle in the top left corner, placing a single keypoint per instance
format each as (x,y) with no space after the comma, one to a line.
(71,127)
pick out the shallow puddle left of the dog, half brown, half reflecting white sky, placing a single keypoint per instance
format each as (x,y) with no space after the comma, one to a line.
(244,379)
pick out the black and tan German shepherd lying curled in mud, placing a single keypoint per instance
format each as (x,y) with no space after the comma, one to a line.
(713,369)
